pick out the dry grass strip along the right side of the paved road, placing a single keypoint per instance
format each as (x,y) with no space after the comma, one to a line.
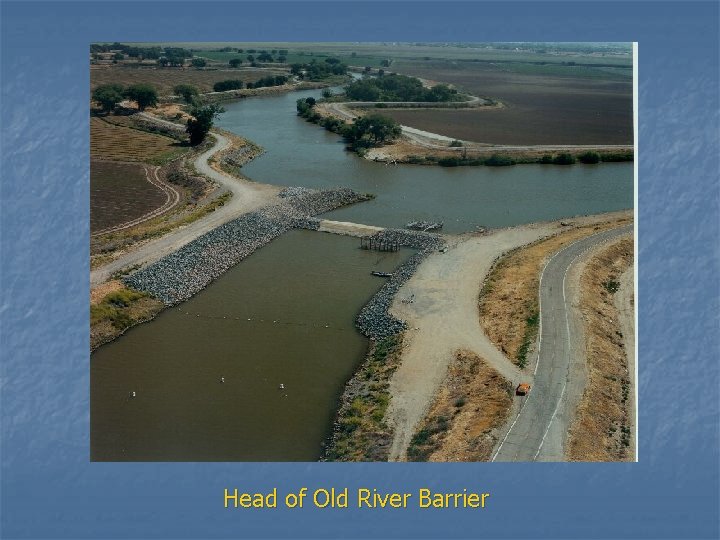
(601,430)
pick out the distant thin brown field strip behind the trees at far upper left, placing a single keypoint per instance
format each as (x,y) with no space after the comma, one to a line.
(165,79)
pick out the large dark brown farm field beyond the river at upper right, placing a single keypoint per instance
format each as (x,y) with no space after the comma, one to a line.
(539,108)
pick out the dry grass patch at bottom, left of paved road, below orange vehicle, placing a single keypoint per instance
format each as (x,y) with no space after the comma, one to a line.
(473,401)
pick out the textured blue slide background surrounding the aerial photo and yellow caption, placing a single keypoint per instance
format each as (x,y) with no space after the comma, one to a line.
(49,487)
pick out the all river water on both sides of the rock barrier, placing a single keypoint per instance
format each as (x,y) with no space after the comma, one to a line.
(313,284)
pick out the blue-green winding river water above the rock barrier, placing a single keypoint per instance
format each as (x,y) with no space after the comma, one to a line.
(301,153)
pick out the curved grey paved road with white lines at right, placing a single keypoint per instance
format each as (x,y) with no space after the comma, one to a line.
(539,431)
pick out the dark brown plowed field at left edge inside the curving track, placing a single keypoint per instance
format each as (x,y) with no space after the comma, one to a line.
(120,192)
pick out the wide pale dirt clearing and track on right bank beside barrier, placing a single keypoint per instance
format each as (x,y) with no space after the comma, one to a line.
(444,318)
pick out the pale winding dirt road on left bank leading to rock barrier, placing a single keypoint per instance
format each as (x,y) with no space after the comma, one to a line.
(247,196)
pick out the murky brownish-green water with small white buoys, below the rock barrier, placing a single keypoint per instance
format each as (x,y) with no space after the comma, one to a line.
(313,284)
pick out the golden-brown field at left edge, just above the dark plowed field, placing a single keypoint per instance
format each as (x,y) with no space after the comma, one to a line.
(117,143)
